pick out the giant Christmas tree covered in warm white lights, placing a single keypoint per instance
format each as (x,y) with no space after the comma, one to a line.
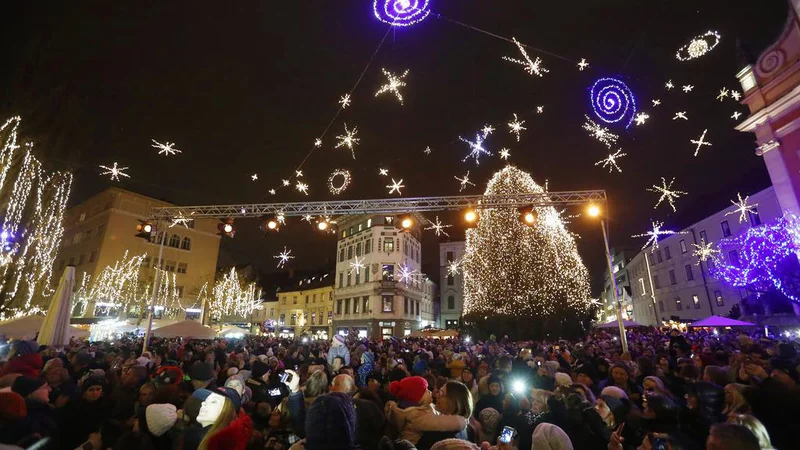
(529,278)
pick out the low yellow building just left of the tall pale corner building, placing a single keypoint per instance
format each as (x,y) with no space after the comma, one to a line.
(305,308)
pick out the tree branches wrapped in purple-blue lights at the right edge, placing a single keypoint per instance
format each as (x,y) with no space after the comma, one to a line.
(762,257)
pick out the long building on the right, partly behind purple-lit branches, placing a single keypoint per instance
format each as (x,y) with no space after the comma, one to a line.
(671,283)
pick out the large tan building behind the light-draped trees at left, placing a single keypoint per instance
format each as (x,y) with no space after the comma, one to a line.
(100,230)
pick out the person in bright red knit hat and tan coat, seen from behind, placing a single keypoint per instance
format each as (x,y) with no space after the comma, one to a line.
(415,420)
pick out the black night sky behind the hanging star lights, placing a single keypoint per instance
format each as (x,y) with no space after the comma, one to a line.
(244,87)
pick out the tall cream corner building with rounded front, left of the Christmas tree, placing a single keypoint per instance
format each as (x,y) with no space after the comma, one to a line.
(380,291)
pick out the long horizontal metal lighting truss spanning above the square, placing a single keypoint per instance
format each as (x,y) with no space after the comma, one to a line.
(380,206)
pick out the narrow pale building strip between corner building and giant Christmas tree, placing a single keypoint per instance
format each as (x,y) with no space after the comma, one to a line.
(452,286)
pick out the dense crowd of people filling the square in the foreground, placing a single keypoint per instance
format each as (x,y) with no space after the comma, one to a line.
(672,390)
